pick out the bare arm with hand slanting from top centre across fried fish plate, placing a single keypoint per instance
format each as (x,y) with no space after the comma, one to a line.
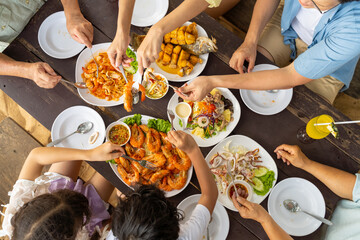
(150,47)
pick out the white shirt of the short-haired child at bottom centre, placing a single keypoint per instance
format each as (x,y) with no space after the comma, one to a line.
(192,229)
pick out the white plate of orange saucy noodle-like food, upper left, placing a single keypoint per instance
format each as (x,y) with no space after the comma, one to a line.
(107,89)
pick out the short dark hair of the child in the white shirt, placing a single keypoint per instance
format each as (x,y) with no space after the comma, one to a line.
(146,214)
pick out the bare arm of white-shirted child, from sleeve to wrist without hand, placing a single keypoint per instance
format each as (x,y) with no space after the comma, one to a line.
(209,192)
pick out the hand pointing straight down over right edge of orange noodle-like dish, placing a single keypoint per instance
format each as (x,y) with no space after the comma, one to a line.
(117,49)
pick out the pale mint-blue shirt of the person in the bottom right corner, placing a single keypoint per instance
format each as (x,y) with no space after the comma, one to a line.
(346,217)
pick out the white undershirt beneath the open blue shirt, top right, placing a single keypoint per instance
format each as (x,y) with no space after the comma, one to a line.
(305,22)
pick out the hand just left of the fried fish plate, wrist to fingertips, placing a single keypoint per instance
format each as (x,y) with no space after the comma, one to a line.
(149,49)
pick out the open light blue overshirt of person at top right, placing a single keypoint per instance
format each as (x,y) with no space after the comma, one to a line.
(335,48)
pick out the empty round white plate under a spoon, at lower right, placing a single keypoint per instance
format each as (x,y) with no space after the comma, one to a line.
(309,198)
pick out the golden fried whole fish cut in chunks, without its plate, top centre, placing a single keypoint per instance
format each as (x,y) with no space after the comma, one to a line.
(181,49)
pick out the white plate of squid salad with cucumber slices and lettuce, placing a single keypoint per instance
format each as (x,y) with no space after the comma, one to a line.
(250,163)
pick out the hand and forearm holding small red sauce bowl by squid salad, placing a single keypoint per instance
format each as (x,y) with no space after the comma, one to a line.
(256,212)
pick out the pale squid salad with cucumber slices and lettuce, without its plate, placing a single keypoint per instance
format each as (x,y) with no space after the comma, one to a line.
(245,165)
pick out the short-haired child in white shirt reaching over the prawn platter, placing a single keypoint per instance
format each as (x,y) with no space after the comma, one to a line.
(147,214)
